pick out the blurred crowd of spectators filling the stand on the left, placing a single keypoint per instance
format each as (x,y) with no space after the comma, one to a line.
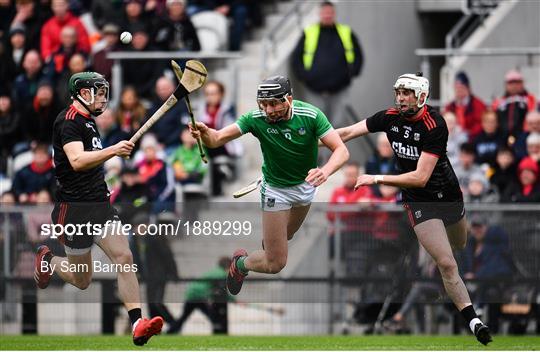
(42,43)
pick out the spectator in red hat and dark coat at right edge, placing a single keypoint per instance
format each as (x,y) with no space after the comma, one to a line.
(527,190)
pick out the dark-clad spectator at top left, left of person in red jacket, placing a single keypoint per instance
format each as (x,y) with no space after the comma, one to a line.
(32,17)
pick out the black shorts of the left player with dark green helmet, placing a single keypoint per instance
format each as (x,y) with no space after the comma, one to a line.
(77,213)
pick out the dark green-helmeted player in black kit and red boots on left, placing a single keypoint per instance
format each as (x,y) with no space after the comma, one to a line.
(82,198)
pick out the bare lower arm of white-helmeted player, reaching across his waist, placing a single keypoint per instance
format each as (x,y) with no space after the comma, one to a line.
(414,179)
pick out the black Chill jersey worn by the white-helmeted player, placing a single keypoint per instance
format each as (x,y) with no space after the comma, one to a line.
(411,137)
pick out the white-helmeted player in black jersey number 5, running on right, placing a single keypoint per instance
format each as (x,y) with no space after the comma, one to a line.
(431,193)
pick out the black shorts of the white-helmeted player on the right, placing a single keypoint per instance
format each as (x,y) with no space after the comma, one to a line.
(450,209)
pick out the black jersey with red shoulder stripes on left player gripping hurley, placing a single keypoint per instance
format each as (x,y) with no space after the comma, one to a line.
(72,125)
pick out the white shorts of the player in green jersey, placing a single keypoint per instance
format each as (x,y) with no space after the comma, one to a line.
(285,198)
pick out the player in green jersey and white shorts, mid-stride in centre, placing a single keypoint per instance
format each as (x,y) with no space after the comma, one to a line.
(288,131)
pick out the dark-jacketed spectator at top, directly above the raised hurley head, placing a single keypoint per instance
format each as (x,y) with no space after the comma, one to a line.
(175,31)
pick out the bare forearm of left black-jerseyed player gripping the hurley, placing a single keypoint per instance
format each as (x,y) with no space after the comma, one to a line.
(82,160)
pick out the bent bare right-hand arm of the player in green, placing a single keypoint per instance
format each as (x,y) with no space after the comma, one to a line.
(340,154)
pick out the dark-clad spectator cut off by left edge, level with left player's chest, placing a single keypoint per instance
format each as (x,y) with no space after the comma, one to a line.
(10,129)
